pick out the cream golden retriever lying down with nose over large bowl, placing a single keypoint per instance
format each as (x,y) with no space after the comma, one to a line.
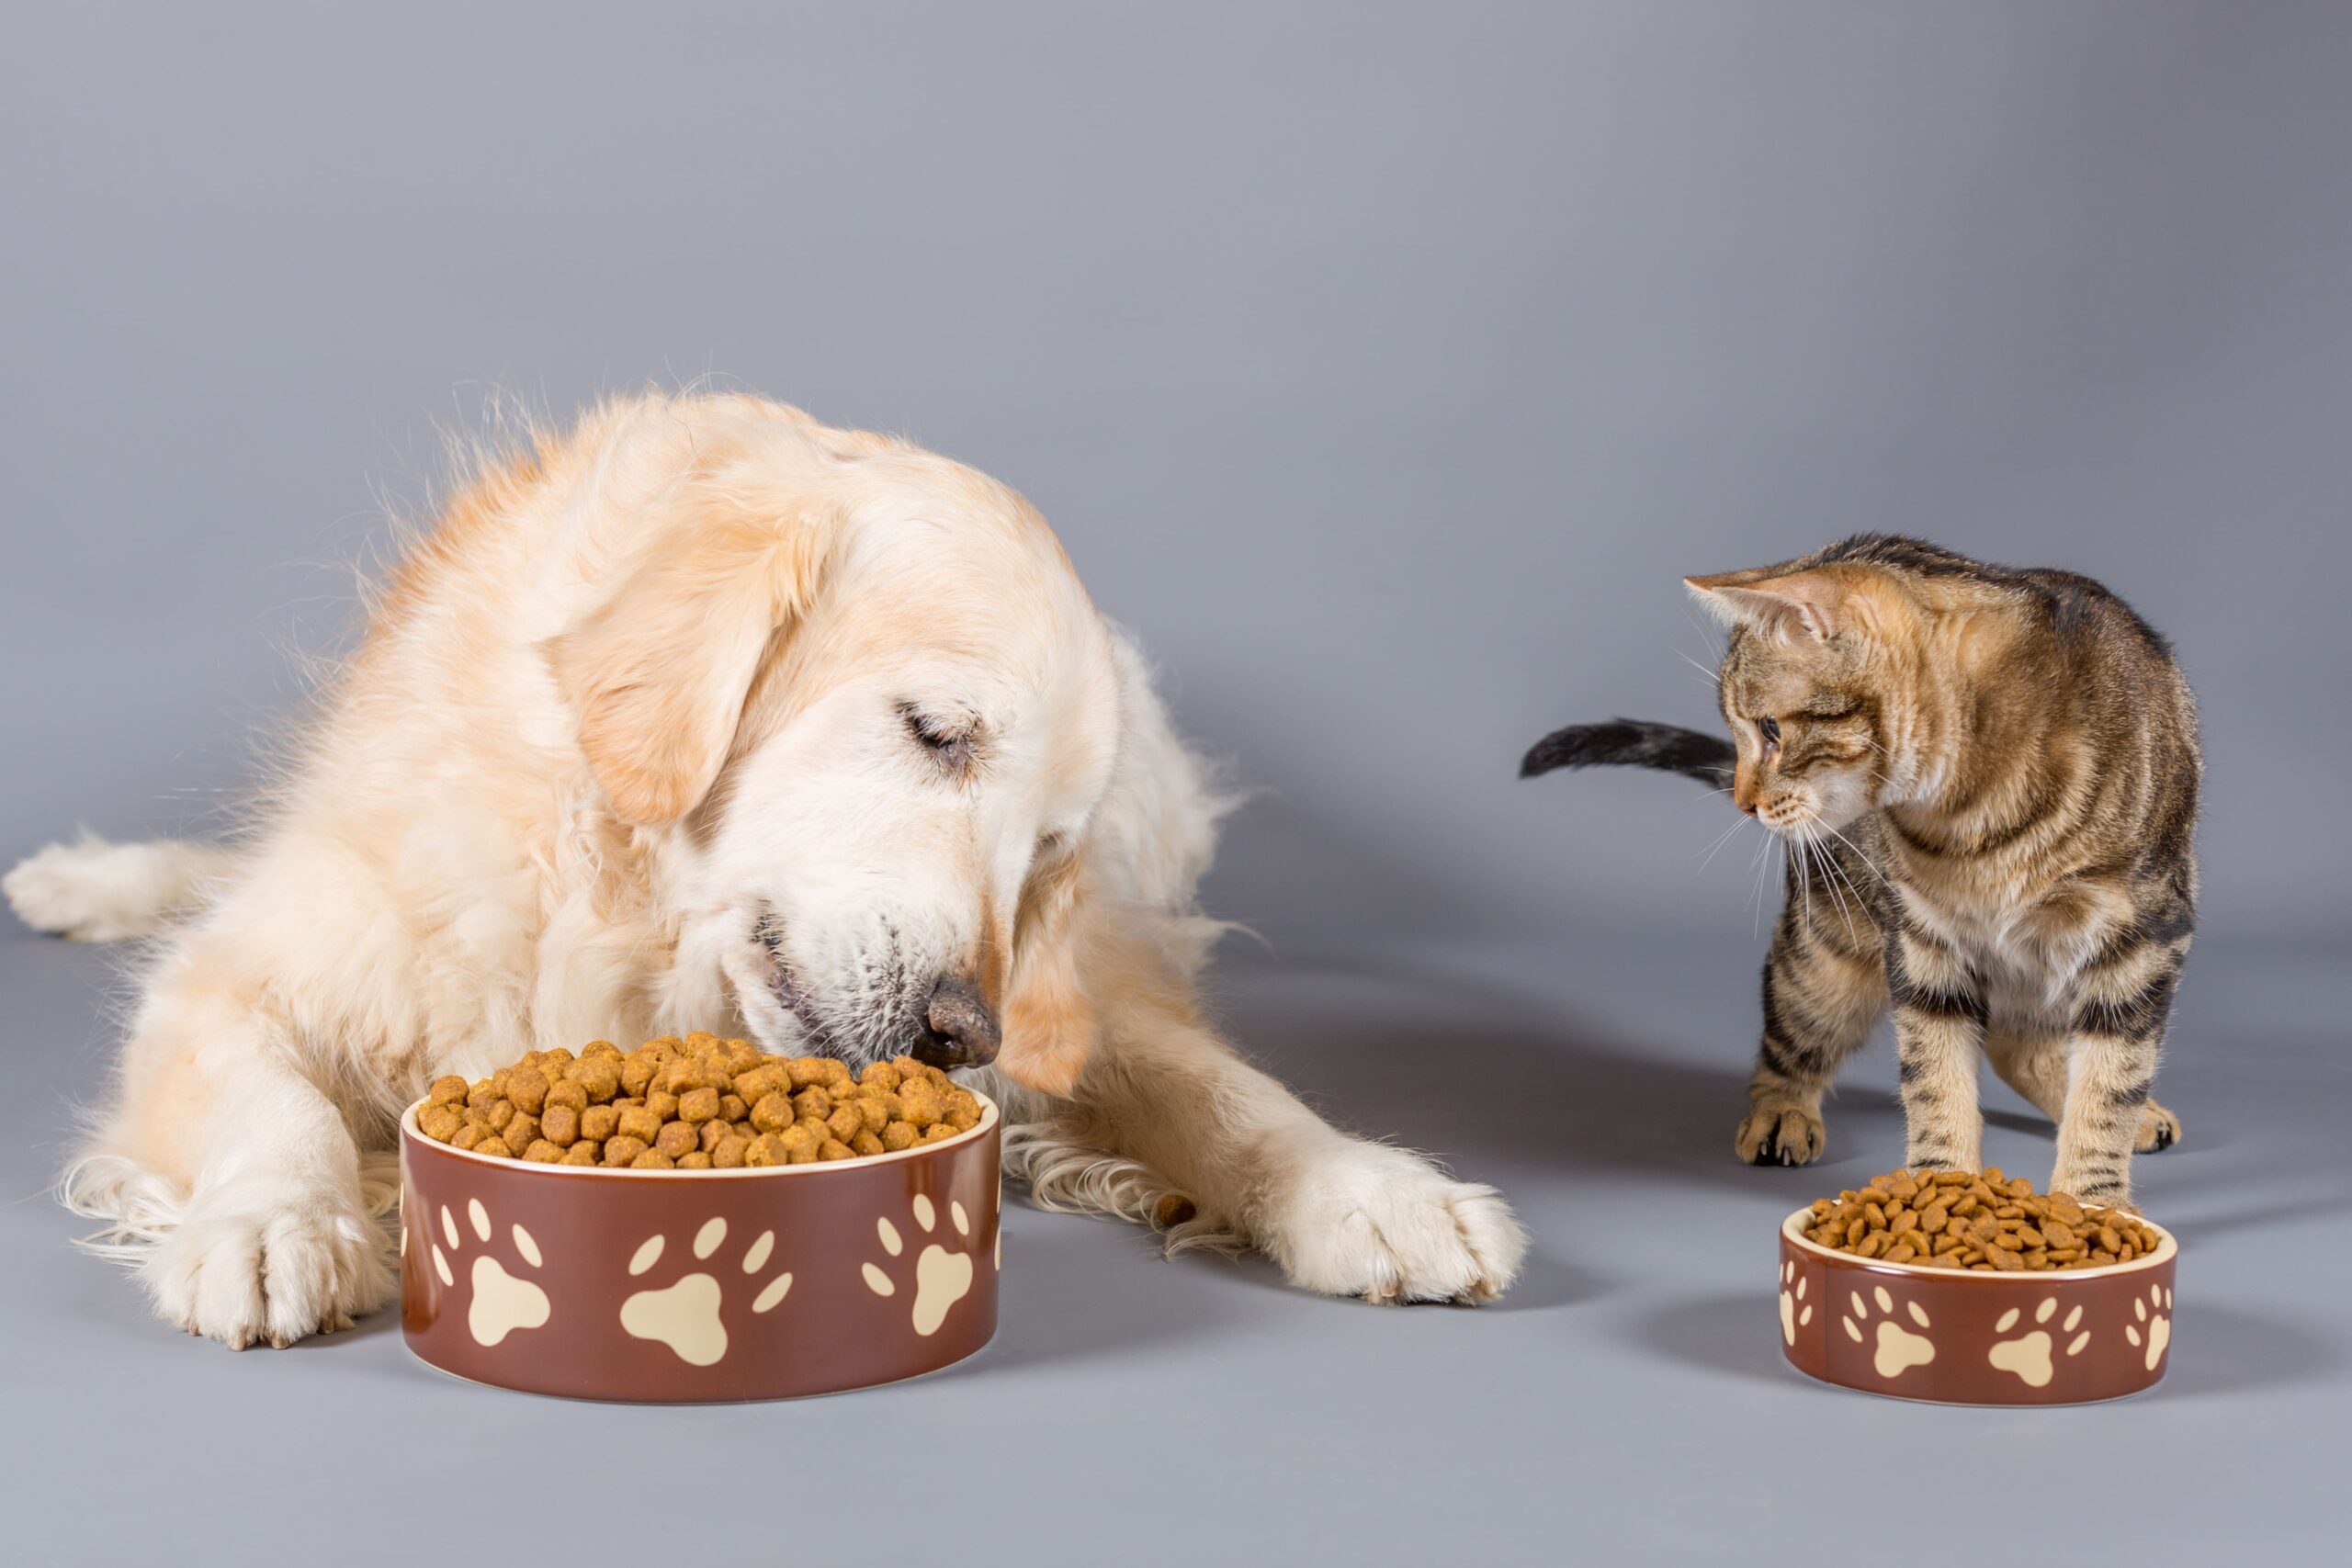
(709,716)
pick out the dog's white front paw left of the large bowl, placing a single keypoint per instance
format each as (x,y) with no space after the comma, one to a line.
(272,1273)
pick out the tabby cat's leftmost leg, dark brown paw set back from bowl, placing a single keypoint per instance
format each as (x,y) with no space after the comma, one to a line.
(1824,991)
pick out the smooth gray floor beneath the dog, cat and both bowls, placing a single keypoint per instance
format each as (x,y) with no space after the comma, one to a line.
(1624,1405)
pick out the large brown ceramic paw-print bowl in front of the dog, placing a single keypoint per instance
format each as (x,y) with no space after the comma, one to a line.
(674,1287)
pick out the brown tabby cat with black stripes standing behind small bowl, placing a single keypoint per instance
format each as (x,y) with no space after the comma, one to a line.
(1989,786)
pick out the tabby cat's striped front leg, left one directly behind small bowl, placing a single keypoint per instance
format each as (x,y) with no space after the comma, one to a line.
(1939,1036)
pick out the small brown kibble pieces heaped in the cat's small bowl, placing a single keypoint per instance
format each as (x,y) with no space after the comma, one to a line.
(1975,1221)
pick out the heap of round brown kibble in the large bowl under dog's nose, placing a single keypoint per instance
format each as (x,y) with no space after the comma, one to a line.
(695,1104)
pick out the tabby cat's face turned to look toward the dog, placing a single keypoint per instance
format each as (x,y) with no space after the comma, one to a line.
(1805,688)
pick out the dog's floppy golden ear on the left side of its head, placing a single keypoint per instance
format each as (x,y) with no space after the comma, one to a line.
(657,669)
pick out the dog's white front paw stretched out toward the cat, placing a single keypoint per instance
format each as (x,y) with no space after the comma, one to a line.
(1391,1228)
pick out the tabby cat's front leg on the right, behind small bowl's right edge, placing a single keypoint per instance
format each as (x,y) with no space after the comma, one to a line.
(2123,1005)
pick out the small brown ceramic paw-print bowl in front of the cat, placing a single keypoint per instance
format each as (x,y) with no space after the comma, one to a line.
(2045,1339)
